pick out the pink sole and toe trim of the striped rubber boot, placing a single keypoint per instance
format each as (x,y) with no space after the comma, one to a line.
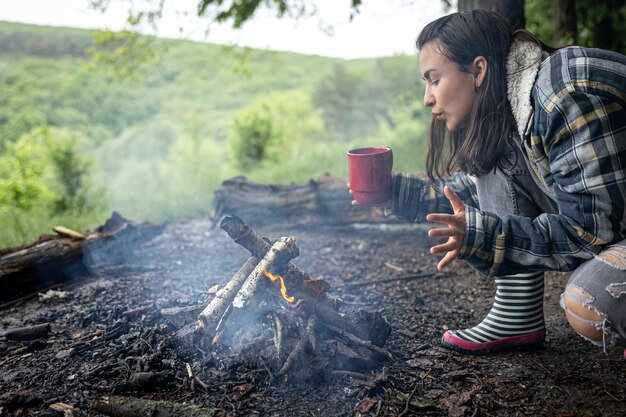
(525,341)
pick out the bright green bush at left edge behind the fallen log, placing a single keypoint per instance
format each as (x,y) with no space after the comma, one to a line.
(42,176)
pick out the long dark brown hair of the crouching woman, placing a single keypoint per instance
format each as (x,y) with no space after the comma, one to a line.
(484,143)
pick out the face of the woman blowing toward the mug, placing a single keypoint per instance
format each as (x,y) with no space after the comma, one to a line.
(450,92)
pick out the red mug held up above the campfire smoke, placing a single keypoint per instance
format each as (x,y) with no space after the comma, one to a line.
(369,172)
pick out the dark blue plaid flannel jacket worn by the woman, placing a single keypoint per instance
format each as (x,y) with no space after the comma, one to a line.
(575,142)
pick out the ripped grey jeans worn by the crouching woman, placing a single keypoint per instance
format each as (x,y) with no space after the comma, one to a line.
(601,282)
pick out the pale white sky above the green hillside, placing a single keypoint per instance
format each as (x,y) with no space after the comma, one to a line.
(382,28)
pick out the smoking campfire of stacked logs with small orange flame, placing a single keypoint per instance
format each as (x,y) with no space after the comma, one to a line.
(271,312)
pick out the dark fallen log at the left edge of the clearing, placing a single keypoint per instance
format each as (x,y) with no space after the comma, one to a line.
(69,255)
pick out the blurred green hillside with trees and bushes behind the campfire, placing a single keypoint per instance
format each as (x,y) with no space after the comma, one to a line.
(160,144)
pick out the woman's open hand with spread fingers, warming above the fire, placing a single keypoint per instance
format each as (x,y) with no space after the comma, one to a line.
(455,230)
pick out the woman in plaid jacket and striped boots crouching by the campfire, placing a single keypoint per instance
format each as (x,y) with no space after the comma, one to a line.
(536,138)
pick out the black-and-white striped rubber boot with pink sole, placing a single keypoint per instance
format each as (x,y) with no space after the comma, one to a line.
(515,320)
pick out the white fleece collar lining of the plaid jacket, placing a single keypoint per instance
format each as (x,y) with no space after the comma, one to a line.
(522,66)
